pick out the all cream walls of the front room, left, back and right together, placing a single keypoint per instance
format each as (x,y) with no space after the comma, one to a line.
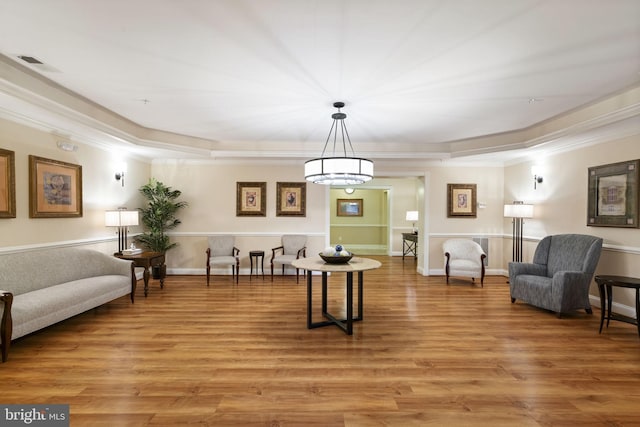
(209,188)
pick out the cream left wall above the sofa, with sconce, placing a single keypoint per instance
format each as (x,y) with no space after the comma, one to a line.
(100,190)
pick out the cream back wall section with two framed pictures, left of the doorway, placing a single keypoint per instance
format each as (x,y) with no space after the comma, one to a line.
(209,188)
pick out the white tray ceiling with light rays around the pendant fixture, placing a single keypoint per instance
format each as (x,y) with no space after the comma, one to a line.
(421,79)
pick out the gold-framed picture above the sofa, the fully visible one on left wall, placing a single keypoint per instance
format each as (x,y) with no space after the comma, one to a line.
(55,189)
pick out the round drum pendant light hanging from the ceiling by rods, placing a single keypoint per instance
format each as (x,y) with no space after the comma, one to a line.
(335,169)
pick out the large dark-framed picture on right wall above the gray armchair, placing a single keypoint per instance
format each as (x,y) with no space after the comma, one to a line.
(613,195)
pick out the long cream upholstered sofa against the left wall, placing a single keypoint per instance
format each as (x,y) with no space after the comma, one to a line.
(42,287)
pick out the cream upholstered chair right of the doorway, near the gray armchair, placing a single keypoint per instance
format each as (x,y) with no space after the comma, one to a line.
(464,257)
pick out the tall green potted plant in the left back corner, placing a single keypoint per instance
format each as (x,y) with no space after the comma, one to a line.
(158,217)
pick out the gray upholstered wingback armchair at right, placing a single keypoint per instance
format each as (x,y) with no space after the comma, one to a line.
(560,275)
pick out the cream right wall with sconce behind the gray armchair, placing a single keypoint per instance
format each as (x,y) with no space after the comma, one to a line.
(560,206)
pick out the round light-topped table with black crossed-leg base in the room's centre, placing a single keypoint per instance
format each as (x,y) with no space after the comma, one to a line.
(356,264)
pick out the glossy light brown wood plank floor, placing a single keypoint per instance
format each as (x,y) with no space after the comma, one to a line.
(425,354)
